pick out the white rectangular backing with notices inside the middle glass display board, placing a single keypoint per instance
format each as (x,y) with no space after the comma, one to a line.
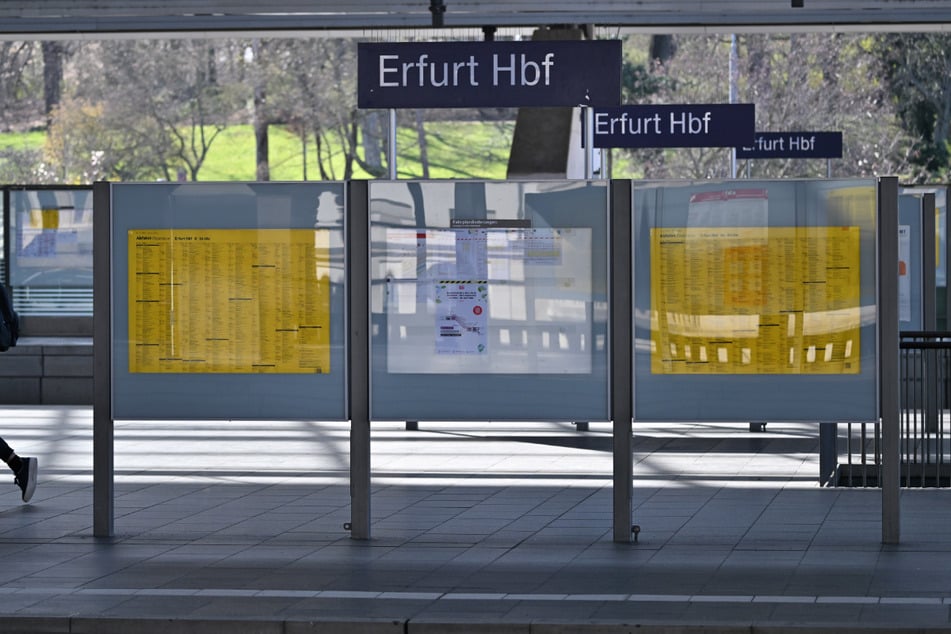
(488,300)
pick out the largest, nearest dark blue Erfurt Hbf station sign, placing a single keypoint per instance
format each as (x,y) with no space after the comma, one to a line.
(489,74)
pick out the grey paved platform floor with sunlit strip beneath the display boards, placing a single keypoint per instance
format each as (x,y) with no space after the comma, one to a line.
(237,527)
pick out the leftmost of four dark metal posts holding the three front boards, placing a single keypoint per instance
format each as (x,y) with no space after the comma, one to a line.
(103,464)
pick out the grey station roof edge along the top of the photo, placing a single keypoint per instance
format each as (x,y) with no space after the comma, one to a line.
(35,19)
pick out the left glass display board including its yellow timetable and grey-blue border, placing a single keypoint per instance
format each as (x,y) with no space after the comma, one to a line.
(228,301)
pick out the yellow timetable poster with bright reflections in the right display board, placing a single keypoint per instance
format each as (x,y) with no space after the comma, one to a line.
(755,300)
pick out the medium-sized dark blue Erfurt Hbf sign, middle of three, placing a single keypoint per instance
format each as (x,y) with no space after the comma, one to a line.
(690,125)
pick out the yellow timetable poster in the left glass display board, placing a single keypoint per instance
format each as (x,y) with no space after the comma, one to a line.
(229,300)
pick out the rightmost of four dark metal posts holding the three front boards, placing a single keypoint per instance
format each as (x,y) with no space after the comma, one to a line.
(889,392)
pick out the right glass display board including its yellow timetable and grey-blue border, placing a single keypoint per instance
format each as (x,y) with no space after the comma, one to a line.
(755,303)
